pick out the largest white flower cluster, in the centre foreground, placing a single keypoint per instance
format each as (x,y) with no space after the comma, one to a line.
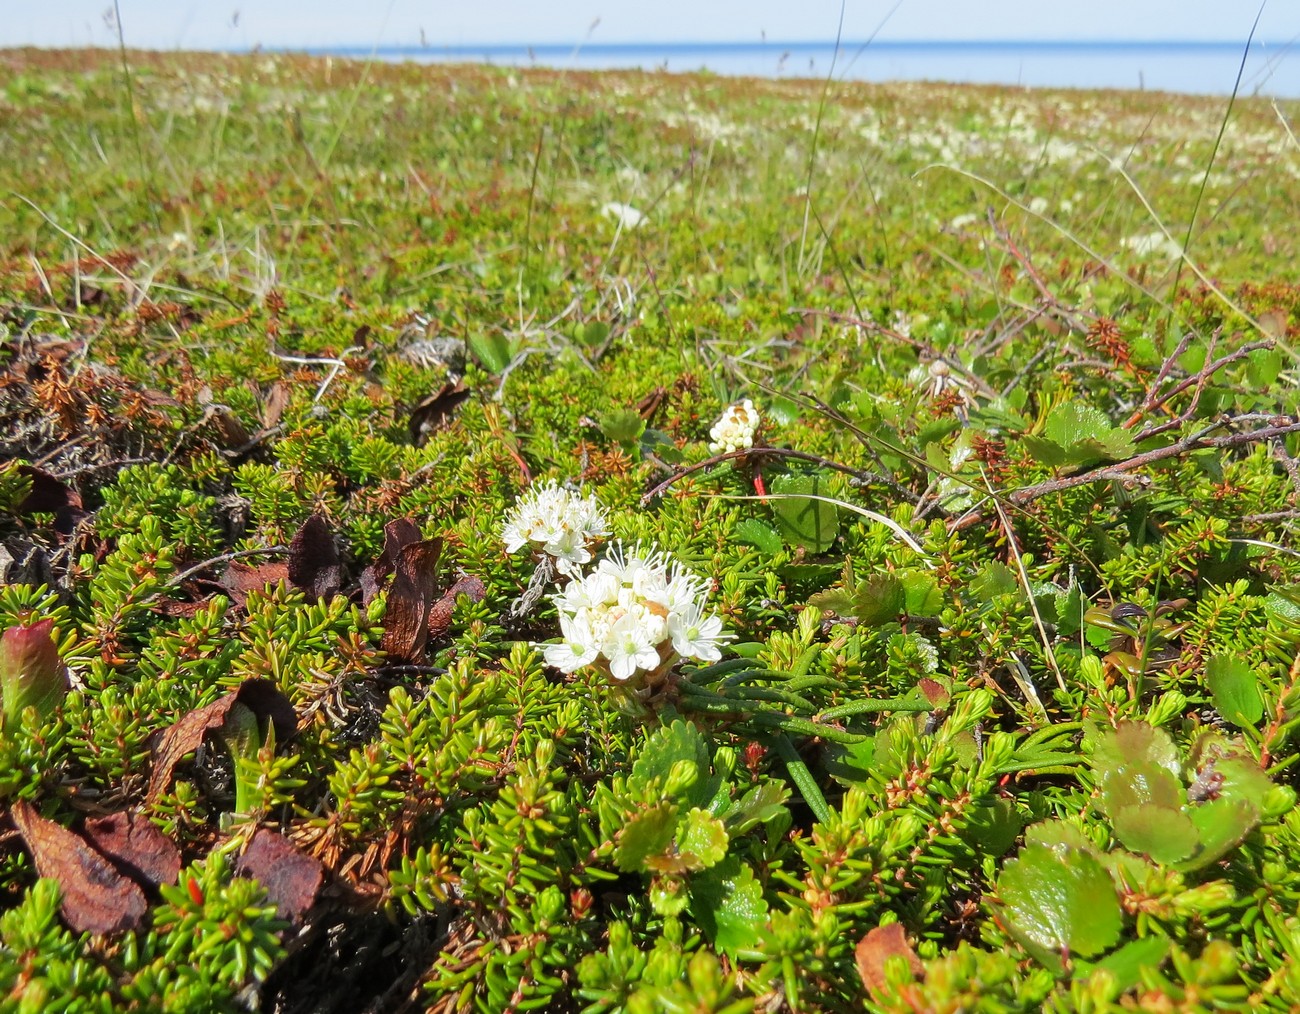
(636,613)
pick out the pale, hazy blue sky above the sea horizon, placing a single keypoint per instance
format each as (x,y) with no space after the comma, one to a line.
(306,24)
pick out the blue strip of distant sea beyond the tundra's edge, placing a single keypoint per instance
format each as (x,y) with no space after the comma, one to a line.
(1182,67)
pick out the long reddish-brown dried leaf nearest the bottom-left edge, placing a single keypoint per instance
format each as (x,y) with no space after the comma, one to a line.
(97,899)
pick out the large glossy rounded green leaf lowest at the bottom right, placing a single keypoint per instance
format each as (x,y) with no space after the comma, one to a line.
(1060,904)
